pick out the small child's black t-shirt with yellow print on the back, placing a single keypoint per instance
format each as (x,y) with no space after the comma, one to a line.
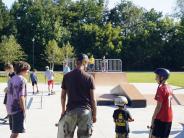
(121,120)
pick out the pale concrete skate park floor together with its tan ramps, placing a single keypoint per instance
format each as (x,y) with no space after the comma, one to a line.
(43,111)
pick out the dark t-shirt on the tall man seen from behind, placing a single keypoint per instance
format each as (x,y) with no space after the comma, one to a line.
(78,84)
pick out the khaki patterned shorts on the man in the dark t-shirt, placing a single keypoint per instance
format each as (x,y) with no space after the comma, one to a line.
(79,117)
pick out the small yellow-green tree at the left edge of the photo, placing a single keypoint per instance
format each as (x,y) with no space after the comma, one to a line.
(10,50)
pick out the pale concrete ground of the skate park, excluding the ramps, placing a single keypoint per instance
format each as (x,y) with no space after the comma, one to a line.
(40,121)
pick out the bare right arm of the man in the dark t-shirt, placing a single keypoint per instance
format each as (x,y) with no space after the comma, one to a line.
(93,105)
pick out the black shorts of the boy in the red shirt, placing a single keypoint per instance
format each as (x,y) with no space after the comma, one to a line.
(161,129)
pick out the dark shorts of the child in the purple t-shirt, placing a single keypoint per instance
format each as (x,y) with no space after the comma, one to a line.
(17,122)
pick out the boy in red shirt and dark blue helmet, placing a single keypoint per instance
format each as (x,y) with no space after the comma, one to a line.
(162,117)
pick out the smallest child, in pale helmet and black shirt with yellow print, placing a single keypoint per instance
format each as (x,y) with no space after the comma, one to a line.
(121,118)
